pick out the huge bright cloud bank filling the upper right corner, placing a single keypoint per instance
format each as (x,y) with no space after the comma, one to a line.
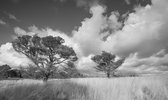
(144,32)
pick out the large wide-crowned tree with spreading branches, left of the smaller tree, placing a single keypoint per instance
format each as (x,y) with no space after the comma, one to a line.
(46,53)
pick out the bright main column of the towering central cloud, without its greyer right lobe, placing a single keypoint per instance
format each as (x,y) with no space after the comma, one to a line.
(88,35)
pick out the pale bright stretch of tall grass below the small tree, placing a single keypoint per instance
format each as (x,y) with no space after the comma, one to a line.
(139,88)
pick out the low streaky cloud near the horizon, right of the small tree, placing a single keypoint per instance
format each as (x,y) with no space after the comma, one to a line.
(154,63)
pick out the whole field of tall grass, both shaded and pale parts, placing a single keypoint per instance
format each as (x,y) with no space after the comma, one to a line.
(130,88)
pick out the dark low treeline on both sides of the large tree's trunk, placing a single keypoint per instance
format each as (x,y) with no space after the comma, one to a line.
(32,72)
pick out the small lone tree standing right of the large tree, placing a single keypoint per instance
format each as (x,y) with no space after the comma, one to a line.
(106,63)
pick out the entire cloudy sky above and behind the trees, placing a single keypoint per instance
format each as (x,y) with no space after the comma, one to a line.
(136,29)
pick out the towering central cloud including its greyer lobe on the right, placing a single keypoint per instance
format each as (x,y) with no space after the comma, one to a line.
(90,35)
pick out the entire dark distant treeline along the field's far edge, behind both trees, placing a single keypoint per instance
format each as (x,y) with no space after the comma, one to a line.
(33,72)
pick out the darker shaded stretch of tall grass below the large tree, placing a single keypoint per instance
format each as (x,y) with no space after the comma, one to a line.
(52,90)
